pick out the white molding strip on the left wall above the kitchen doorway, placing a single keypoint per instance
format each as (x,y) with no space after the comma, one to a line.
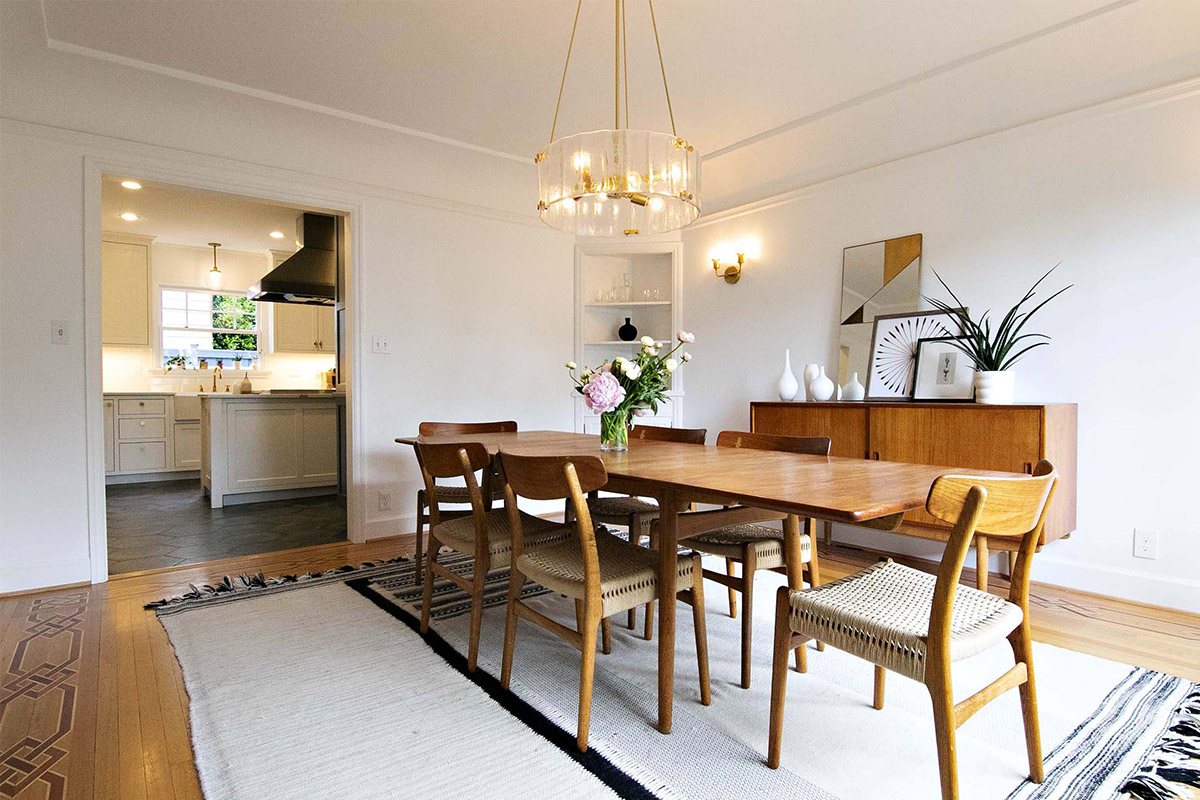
(177,159)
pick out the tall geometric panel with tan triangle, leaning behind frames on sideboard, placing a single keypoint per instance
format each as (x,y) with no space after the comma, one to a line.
(881,278)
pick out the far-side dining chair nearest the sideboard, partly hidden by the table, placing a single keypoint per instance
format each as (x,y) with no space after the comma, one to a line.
(759,548)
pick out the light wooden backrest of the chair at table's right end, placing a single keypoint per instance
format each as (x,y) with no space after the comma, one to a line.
(1001,508)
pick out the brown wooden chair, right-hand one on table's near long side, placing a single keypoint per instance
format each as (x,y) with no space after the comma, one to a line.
(605,575)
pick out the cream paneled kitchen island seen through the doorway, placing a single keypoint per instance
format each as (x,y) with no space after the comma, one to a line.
(271,447)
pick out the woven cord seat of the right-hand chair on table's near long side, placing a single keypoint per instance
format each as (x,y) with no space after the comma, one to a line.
(628,574)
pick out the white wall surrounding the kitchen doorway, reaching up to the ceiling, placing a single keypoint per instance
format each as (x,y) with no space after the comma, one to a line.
(475,296)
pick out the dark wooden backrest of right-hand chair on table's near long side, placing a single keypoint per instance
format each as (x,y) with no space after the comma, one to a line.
(555,478)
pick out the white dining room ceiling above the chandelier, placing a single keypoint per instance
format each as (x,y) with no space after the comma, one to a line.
(743,74)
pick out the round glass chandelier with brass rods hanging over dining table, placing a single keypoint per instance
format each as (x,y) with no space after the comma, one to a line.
(619,182)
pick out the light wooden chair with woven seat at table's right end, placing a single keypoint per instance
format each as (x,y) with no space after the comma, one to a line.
(917,624)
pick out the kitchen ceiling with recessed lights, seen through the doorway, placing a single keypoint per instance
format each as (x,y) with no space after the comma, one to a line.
(177,215)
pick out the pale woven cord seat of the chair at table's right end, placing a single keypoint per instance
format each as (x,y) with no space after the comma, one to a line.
(881,615)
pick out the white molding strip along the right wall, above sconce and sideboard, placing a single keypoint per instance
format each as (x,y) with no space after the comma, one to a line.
(1127,105)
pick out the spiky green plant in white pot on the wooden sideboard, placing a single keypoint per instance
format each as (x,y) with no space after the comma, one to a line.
(995,352)
